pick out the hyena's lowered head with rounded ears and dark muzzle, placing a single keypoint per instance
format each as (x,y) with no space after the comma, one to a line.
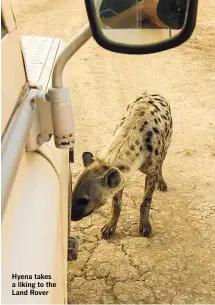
(96,184)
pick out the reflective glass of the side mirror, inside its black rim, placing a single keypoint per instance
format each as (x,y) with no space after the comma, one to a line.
(140,22)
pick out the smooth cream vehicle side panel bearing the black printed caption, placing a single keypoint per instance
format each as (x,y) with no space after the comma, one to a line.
(32,231)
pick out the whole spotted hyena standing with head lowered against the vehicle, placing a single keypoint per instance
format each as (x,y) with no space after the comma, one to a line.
(140,142)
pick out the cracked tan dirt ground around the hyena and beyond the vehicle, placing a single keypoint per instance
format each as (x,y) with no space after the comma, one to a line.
(177,264)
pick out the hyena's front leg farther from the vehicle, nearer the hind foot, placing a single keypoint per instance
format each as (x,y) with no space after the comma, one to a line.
(145,228)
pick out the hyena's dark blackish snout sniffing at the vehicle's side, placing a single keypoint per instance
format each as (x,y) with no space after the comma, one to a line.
(80,208)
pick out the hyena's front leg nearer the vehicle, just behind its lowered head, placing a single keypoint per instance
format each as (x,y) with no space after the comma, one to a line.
(109,229)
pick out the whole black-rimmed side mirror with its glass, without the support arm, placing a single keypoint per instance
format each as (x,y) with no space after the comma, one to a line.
(141,26)
